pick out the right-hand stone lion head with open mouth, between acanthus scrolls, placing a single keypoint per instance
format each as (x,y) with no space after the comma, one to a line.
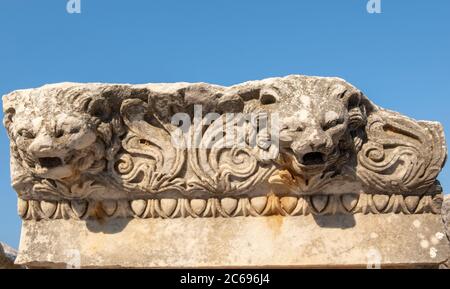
(319,120)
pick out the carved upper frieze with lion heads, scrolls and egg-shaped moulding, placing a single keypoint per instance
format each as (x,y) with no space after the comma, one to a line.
(74,146)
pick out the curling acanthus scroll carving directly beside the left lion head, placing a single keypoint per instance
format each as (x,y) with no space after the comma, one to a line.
(147,162)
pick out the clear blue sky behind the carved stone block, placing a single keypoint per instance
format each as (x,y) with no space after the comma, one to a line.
(399,58)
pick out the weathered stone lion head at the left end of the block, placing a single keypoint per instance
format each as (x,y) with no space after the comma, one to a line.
(61,135)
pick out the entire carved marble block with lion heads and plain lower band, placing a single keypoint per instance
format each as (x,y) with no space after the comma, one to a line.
(174,172)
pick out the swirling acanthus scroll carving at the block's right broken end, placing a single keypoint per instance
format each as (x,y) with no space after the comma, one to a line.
(401,155)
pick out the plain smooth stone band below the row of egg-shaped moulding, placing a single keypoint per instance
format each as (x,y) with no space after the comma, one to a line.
(384,240)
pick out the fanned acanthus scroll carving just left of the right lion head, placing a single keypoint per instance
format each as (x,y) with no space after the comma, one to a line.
(221,168)
